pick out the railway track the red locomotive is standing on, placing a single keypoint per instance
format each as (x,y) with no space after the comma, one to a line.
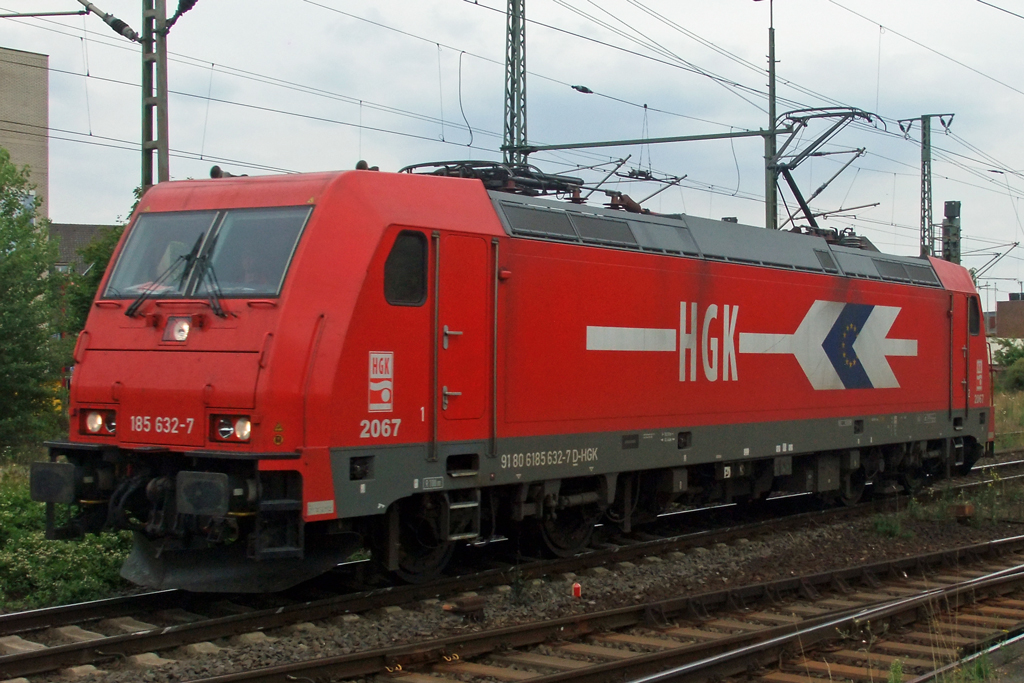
(90,634)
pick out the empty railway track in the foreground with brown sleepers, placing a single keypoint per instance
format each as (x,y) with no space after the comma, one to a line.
(852,624)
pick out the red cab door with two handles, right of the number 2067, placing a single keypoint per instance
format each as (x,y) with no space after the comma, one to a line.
(463,341)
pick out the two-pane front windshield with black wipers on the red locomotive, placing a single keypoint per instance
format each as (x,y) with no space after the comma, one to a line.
(246,252)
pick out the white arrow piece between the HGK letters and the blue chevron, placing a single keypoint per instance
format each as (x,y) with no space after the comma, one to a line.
(805,344)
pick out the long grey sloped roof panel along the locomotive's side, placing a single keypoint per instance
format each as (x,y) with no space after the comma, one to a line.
(691,237)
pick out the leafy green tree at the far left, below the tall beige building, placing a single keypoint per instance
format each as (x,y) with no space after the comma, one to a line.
(30,354)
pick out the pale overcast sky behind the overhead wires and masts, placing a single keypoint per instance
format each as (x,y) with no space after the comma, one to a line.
(310,86)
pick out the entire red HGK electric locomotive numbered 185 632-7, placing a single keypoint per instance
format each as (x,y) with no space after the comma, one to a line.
(278,371)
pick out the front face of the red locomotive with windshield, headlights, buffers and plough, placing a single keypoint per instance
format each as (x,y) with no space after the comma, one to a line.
(182,429)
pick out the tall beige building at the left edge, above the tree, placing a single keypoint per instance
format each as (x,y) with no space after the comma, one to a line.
(25,116)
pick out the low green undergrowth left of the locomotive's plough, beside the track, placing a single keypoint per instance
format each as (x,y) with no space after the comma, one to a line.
(36,573)
